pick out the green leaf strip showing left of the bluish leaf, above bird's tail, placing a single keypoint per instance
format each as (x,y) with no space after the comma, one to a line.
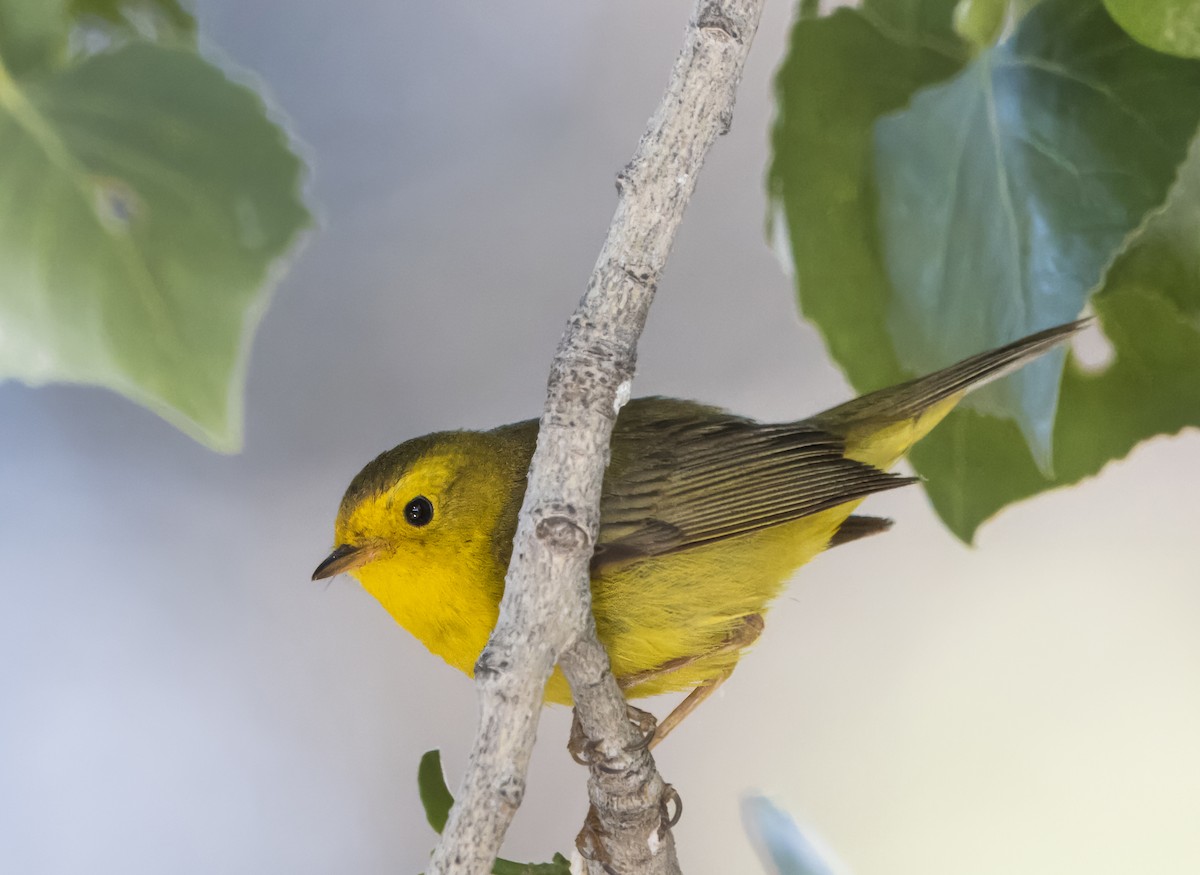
(841,75)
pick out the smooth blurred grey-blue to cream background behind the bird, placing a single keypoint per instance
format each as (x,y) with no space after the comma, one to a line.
(178,697)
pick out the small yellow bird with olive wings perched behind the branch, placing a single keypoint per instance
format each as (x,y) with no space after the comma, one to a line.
(705,517)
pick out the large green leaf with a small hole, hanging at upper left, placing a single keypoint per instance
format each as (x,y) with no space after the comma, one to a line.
(145,200)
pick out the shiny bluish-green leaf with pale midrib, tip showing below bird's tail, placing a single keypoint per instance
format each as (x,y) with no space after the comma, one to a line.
(1000,212)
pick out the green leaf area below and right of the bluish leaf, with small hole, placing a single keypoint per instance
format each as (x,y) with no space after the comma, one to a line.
(1150,311)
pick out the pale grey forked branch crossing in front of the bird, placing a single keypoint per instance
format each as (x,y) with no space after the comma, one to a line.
(545,615)
